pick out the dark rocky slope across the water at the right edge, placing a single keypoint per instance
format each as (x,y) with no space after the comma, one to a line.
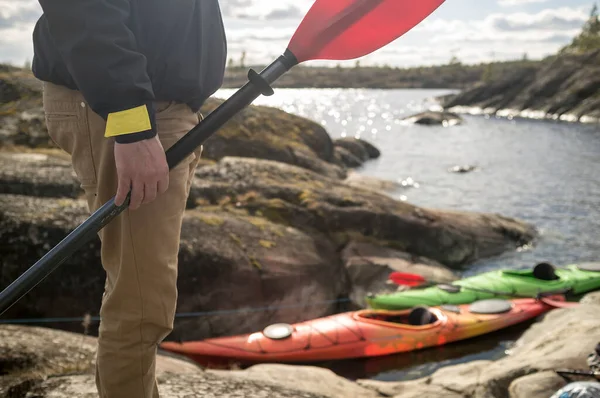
(567,88)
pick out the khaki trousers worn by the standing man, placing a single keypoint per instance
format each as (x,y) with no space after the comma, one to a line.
(139,247)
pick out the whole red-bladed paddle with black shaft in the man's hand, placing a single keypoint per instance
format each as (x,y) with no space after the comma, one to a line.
(332,29)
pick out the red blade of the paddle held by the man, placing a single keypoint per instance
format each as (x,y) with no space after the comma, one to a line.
(347,29)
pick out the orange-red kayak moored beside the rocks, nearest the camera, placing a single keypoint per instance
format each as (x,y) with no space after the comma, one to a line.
(365,333)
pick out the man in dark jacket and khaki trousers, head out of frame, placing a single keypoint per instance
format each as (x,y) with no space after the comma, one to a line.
(123,81)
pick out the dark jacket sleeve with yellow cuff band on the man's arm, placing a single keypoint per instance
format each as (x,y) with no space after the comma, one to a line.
(101,55)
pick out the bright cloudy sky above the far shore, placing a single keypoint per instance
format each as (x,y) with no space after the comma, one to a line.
(471,30)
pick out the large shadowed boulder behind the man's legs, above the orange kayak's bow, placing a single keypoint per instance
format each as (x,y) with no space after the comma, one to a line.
(228,261)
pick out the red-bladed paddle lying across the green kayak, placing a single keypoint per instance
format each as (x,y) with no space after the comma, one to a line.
(414,280)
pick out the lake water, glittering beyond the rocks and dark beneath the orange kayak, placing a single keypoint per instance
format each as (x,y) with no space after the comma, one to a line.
(546,173)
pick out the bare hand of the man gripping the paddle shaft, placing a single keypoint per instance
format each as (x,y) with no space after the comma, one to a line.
(141,166)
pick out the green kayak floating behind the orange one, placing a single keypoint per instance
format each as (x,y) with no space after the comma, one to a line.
(544,277)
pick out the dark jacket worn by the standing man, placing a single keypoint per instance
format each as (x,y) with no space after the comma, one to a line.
(123,54)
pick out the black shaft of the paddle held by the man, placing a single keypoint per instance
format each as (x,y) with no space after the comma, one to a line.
(258,84)
